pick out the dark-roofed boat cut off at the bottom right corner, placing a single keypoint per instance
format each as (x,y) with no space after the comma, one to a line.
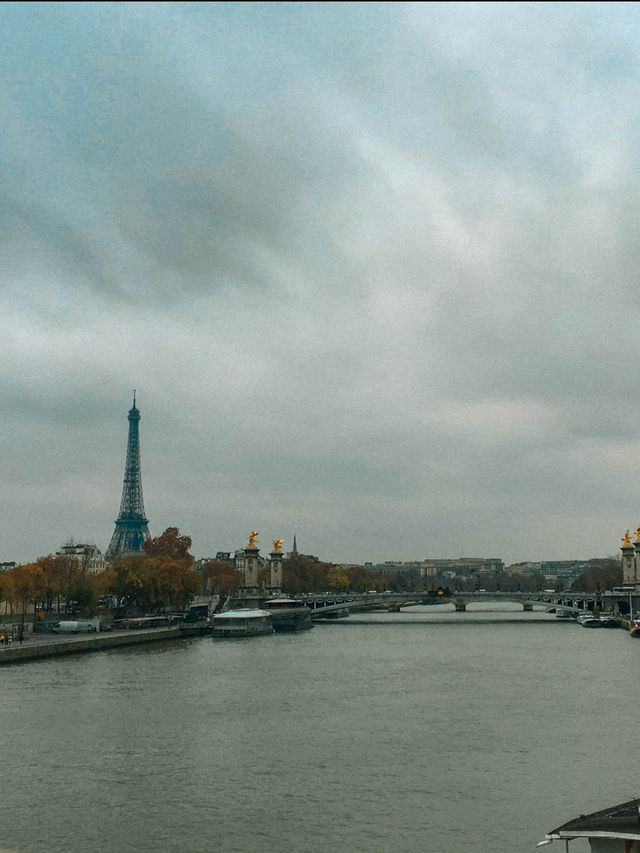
(612,830)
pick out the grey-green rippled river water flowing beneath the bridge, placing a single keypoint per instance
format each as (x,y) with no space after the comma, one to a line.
(420,731)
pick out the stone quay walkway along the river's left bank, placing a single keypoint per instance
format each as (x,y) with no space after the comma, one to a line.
(39,646)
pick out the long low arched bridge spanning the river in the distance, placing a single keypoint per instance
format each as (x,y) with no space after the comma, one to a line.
(336,605)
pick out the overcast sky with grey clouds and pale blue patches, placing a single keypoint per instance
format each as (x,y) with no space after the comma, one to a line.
(372,268)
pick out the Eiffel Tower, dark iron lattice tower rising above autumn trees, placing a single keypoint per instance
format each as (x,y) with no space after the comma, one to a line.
(131,525)
